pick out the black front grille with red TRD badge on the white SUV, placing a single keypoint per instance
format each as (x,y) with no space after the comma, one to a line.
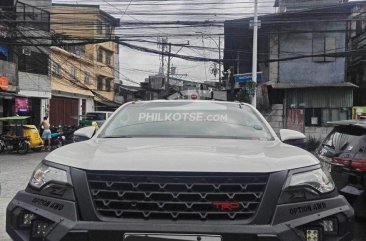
(176,196)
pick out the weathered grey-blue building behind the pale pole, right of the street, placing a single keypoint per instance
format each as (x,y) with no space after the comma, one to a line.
(303,60)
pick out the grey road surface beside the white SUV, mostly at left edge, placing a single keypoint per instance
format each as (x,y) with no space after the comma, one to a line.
(15,171)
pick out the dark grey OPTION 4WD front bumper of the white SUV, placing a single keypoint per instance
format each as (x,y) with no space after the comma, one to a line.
(288,222)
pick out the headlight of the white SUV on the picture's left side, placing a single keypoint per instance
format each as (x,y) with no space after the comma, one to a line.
(44,174)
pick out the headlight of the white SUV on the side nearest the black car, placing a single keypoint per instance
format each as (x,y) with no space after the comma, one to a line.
(318,180)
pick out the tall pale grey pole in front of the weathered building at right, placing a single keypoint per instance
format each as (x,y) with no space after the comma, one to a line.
(255,49)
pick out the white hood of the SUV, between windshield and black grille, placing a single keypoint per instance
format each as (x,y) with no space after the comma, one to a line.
(182,155)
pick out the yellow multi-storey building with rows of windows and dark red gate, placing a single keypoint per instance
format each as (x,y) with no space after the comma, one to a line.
(83,76)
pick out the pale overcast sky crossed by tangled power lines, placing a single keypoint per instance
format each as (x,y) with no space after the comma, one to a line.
(135,66)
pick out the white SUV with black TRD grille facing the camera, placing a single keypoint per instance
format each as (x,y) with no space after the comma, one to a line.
(181,170)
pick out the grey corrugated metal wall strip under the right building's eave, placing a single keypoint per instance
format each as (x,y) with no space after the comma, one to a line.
(320,97)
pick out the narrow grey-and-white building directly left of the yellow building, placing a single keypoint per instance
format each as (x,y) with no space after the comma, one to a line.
(33,58)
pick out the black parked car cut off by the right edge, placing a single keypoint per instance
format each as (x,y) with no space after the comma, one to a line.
(343,153)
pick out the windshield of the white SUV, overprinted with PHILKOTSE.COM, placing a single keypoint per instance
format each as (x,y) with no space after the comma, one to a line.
(187,119)
